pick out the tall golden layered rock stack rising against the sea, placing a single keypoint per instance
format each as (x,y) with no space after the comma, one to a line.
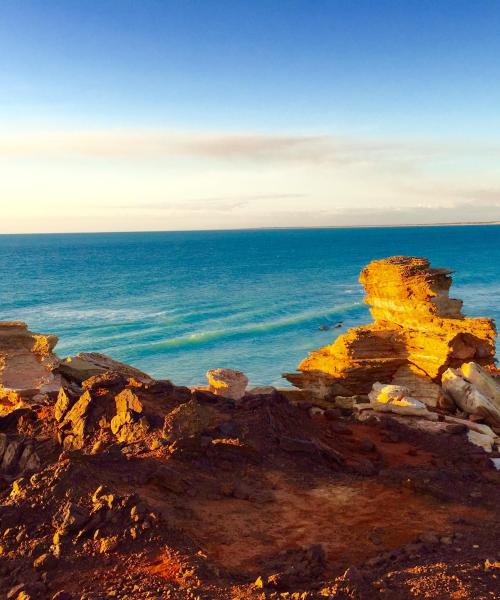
(418,333)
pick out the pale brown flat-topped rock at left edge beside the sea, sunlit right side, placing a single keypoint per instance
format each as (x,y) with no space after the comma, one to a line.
(26,358)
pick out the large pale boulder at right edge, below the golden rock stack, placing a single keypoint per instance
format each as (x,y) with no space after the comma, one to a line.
(474,392)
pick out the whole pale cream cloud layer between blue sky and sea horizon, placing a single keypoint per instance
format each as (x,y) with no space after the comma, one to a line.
(134,179)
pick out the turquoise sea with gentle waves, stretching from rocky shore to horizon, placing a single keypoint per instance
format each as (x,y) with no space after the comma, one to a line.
(176,304)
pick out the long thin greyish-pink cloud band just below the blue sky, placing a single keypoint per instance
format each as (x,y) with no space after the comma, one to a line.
(321,150)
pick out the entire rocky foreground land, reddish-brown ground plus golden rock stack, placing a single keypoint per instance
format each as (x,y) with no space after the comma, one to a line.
(376,478)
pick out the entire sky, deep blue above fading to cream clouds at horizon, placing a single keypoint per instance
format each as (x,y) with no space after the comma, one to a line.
(120,115)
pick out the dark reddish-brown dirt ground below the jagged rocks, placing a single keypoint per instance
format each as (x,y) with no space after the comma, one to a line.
(272,503)
